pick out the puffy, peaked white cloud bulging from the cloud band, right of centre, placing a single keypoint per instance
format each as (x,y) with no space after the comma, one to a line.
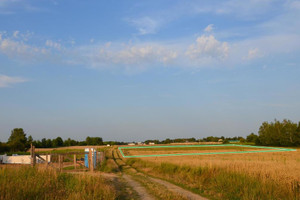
(208,47)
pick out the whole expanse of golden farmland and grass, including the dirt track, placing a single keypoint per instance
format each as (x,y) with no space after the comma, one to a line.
(257,175)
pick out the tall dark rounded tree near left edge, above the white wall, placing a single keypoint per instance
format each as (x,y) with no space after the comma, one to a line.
(17,140)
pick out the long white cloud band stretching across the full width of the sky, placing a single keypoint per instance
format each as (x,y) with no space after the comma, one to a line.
(204,51)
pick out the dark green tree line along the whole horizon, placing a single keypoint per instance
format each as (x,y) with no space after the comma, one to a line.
(285,133)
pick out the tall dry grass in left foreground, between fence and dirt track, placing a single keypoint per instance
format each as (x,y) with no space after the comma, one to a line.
(25,182)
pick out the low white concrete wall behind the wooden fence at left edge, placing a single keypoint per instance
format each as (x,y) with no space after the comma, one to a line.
(20,159)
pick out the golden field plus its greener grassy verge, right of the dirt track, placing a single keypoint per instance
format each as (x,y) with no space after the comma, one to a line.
(270,175)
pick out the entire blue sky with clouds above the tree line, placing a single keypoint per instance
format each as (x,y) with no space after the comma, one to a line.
(137,70)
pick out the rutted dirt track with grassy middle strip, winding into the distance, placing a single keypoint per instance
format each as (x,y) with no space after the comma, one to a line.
(134,185)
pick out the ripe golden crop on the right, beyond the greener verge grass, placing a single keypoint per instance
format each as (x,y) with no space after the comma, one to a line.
(281,167)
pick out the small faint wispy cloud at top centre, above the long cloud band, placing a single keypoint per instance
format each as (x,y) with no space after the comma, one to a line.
(145,25)
